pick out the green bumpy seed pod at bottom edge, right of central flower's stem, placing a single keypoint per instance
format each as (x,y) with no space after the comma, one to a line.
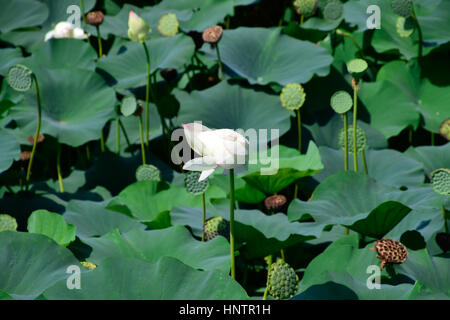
(282,281)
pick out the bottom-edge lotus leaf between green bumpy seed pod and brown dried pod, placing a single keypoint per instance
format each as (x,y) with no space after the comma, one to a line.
(343,263)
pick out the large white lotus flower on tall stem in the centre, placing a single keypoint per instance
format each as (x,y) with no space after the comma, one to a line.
(223,148)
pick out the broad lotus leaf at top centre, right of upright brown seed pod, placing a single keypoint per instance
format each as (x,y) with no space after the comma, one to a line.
(264,55)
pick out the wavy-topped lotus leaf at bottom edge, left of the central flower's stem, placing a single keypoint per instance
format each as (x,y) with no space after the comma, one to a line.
(165,279)
